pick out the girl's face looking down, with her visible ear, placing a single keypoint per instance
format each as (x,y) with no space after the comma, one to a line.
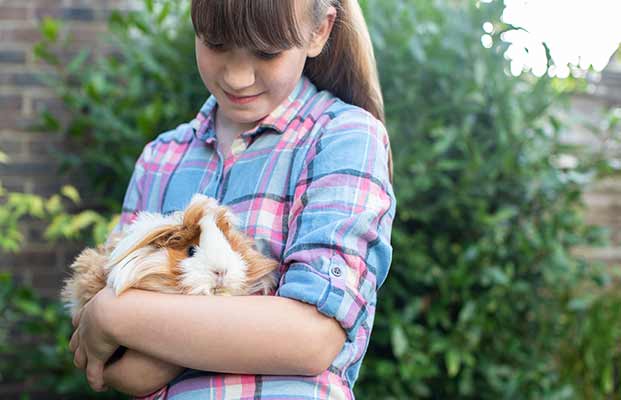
(250,84)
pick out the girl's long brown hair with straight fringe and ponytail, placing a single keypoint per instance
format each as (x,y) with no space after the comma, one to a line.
(346,66)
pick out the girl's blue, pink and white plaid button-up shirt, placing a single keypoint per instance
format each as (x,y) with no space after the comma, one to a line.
(310,184)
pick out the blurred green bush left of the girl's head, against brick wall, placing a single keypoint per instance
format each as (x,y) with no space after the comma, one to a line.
(120,101)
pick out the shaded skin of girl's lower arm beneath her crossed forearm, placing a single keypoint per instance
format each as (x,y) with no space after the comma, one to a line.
(138,374)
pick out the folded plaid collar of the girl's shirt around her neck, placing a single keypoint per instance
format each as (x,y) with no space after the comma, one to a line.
(278,120)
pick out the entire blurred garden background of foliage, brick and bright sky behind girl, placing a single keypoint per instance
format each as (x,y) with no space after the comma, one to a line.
(505,122)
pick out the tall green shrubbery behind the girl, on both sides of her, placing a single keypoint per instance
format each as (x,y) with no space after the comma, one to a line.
(484,298)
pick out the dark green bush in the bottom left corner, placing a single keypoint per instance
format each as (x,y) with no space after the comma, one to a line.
(34,341)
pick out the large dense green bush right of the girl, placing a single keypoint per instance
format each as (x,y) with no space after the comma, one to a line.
(477,301)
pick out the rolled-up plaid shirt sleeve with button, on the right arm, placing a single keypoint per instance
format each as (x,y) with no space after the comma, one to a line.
(338,248)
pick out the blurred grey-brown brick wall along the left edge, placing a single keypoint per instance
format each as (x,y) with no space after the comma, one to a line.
(31,166)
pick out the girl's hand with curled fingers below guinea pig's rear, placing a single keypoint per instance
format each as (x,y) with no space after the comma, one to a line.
(91,344)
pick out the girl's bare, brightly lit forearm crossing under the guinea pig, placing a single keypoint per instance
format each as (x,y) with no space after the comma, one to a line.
(237,334)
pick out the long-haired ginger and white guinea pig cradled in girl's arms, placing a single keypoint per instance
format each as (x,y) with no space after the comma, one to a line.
(197,251)
